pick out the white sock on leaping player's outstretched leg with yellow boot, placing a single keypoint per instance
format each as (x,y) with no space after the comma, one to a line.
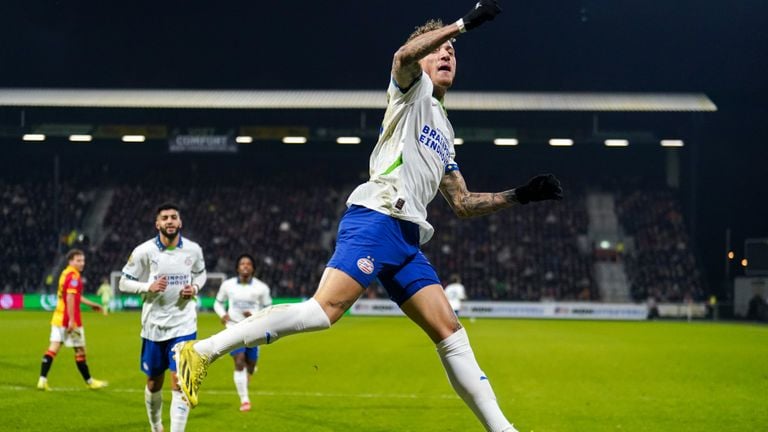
(265,327)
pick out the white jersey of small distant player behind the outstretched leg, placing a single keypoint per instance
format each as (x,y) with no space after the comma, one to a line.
(251,297)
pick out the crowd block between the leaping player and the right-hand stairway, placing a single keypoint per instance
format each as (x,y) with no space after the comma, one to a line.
(528,253)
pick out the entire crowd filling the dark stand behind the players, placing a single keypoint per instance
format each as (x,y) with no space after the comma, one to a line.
(528,253)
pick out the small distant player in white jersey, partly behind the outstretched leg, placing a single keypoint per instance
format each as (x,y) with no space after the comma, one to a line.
(246,295)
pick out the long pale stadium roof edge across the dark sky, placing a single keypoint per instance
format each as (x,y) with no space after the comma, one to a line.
(352,99)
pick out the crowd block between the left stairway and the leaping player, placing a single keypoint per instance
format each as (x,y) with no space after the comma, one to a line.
(287,231)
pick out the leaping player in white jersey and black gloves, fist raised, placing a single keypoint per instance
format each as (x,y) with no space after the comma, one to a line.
(385,224)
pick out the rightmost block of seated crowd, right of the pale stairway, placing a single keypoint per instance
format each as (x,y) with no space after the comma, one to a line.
(663,266)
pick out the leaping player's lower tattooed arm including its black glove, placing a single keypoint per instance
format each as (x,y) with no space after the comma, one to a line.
(468,204)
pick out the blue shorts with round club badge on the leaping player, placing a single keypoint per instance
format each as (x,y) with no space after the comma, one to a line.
(373,245)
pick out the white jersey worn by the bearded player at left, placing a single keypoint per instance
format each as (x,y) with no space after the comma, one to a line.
(166,315)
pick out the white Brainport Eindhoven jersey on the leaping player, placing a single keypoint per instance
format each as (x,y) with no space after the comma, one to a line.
(414,151)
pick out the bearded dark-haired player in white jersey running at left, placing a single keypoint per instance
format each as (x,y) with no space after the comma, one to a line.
(168,271)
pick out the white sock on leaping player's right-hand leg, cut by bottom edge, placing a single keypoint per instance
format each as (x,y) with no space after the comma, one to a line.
(470,383)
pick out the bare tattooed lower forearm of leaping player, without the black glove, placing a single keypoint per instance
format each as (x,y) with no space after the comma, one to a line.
(468,204)
